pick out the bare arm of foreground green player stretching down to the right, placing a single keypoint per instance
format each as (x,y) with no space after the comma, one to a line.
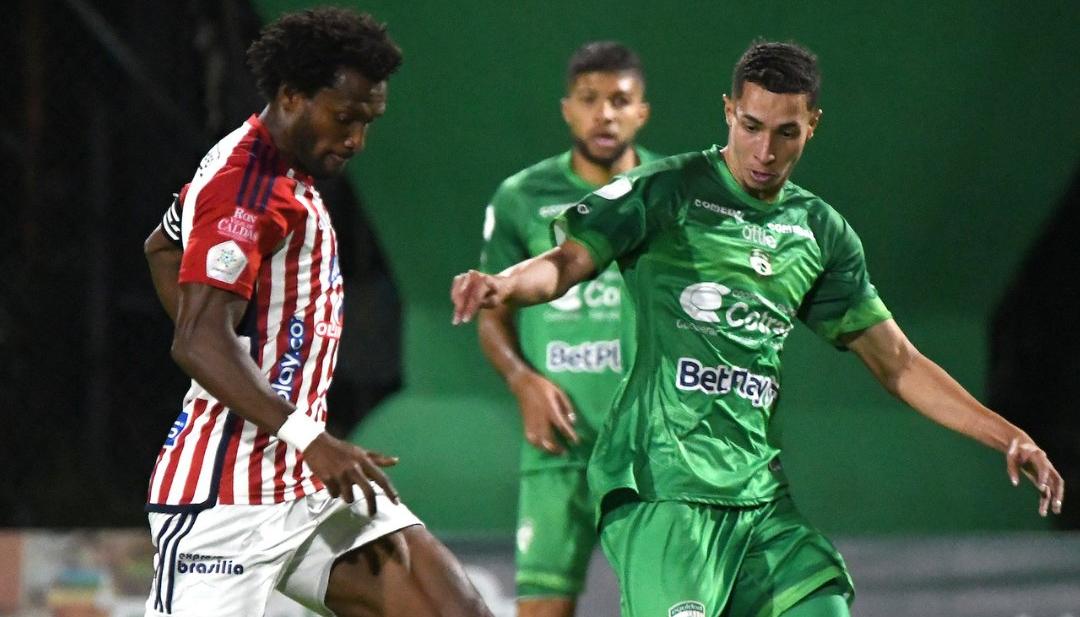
(917,381)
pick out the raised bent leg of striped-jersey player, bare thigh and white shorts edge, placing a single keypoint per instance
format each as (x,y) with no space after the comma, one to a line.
(386,567)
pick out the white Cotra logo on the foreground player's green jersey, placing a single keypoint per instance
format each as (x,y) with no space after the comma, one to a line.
(705,303)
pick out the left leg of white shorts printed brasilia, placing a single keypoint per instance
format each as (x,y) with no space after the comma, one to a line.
(224,560)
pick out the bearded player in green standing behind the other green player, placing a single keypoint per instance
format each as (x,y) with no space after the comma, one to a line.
(564,359)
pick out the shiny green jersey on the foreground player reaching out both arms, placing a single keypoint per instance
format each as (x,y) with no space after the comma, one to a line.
(717,279)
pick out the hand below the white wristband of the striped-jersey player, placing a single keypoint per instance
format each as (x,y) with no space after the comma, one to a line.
(341,465)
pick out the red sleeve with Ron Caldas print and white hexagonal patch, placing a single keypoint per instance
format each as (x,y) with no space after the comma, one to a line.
(226,243)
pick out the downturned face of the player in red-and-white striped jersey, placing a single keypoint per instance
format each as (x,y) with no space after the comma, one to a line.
(331,127)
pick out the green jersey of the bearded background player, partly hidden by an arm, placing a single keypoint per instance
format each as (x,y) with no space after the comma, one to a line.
(576,341)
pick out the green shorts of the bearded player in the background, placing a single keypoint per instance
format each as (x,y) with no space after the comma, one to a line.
(557,533)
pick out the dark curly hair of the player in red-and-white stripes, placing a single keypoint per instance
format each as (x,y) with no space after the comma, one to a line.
(306,49)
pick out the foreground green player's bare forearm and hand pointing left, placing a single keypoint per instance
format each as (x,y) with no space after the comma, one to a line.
(537,280)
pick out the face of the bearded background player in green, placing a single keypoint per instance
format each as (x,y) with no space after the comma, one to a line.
(605,111)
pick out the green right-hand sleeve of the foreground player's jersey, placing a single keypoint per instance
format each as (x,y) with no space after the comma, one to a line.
(843,299)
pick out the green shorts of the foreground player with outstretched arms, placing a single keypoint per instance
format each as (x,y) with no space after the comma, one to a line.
(678,559)
